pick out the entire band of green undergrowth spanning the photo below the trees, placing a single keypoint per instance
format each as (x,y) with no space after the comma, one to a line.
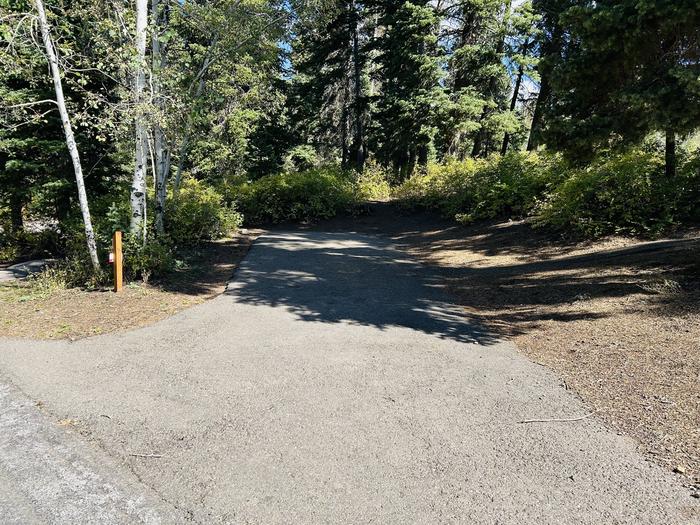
(625,193)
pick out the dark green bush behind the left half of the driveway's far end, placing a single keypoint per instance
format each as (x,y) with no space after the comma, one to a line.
(319,193)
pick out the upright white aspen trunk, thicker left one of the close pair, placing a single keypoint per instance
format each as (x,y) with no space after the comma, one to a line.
(138,183)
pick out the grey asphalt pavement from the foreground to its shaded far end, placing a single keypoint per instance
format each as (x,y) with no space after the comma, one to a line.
(332,383)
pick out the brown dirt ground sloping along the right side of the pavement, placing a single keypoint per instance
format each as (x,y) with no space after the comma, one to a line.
(618,319)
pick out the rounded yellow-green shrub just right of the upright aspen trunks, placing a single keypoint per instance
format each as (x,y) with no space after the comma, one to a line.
(199,214)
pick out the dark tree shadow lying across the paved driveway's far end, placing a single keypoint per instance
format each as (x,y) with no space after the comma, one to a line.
(349,278)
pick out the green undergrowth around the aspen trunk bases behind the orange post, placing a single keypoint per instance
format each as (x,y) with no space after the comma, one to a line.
(197,214)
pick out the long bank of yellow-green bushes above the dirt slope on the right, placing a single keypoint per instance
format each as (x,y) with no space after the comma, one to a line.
(621,193)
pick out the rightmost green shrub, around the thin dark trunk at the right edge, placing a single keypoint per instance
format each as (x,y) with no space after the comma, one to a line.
(625,193)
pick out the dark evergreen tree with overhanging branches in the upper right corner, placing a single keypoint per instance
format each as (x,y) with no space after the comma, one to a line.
(632,68)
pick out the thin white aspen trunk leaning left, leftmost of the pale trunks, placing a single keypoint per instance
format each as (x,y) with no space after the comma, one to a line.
(68,130)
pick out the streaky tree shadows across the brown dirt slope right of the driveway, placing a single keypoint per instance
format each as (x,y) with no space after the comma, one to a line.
(512,278)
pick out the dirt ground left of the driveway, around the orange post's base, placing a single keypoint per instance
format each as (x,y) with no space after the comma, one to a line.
(74,313)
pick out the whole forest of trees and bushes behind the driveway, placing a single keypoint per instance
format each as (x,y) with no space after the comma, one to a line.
(183,119)
